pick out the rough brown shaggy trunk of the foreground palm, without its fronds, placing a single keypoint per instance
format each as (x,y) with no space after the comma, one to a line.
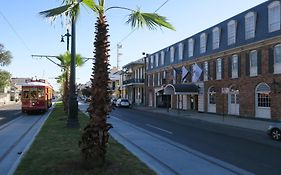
(95,134)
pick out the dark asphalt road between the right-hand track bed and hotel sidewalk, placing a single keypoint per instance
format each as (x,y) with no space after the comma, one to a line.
(248,149)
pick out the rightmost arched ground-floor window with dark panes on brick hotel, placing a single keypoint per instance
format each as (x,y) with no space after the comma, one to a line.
(263,97)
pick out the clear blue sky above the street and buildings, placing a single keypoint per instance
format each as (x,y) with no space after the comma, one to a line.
(33,34)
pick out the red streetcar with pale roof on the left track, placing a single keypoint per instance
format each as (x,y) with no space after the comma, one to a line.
(36,96)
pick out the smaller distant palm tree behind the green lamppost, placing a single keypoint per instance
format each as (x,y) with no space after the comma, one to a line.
(65,63)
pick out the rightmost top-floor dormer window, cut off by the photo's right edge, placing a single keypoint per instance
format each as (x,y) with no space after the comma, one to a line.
(274,16)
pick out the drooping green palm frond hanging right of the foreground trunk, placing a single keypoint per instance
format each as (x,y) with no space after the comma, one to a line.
(150,20)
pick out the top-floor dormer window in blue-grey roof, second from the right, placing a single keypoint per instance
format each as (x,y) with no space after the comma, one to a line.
(250,25)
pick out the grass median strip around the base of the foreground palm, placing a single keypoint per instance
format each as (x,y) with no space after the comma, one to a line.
(55,151)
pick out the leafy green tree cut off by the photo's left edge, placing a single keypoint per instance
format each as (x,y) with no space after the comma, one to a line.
(5,59)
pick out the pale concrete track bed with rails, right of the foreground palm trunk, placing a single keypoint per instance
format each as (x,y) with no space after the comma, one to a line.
(166,157)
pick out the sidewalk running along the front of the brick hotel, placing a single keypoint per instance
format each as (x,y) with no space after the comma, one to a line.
(243,122)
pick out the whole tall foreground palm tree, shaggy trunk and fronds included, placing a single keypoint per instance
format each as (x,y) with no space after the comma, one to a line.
(95,135)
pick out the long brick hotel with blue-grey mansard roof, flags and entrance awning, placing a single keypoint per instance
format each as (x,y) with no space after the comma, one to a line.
(240,60)
